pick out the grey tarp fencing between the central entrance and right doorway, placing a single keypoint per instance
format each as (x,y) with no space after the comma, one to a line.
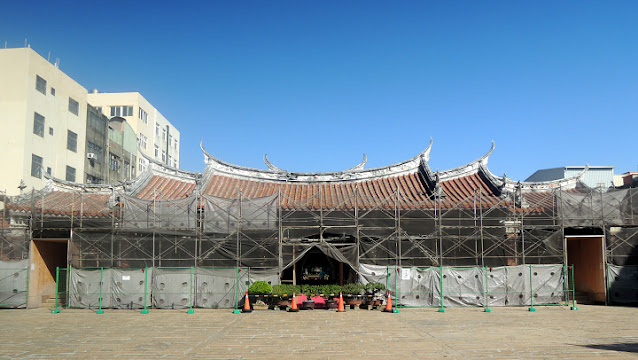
(466,286)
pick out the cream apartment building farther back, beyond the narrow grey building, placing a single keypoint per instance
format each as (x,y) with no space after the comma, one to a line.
(158,138)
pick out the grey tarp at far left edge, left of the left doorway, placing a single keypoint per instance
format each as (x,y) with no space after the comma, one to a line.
(13,283)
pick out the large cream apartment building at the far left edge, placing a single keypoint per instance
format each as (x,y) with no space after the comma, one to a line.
(43,117)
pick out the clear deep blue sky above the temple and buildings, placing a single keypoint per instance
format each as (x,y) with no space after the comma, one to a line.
(317,84)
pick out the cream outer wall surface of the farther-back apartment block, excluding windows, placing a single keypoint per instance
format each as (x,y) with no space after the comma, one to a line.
(135,99)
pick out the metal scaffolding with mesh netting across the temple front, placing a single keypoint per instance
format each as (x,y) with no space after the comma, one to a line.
(380,229)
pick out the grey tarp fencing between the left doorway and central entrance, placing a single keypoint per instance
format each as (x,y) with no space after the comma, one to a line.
(167,288)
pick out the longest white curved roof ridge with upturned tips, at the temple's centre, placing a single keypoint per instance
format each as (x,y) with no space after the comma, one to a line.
(355,173)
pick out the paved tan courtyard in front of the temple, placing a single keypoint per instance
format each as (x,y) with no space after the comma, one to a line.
(592,332)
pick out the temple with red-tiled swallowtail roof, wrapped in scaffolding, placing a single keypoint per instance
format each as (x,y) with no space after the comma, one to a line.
(508,242)
